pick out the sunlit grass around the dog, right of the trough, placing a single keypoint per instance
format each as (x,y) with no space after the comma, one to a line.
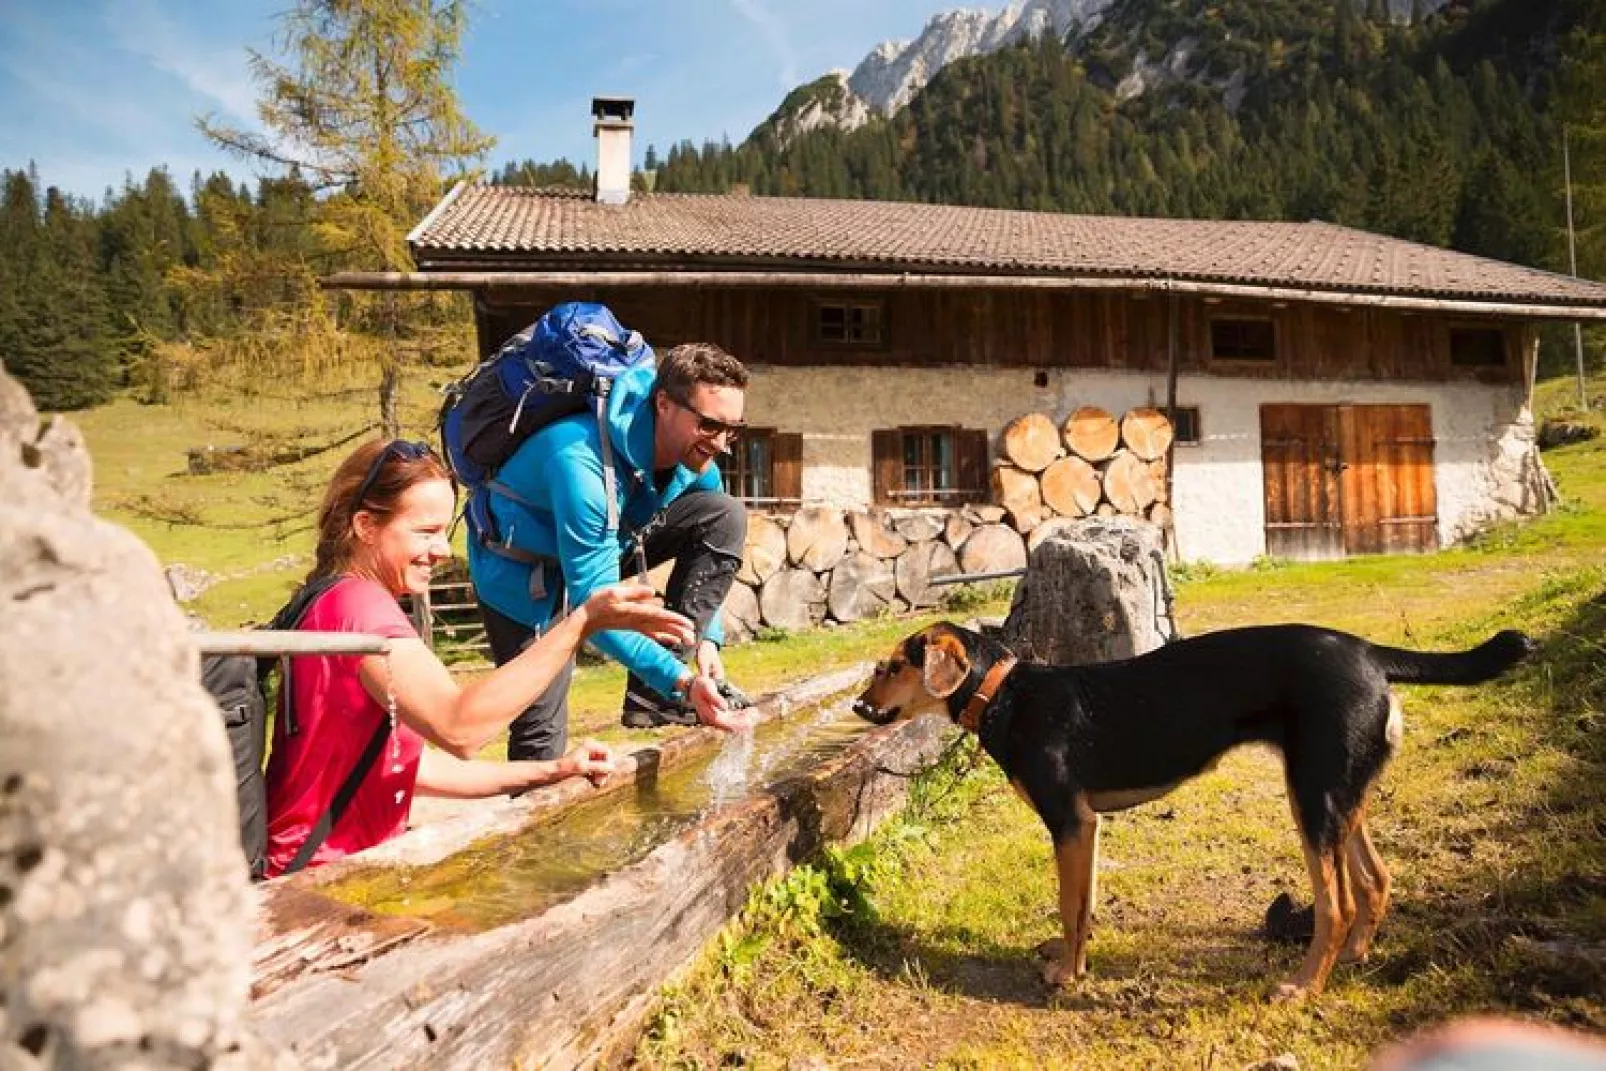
(916,950)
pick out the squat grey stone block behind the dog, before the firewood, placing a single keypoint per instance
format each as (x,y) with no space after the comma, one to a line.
(1093,593)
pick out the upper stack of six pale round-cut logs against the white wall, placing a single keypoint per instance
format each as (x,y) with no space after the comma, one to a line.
(1091,465)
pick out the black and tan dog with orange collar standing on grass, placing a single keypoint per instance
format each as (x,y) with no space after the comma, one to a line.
(1082,741)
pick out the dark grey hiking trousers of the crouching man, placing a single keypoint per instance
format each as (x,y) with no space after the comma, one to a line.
(703,532)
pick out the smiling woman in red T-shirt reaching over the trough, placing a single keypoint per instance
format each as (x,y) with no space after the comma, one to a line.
(381,531)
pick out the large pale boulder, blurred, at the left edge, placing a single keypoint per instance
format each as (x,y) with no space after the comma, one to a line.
(126,914)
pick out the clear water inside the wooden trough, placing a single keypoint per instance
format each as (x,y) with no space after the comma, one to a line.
(516,876)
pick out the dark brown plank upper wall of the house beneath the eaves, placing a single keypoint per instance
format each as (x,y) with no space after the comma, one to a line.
(1040,330)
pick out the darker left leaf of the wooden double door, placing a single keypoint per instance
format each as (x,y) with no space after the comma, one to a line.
(1302,466)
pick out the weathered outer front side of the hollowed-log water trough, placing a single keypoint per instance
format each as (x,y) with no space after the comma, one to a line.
(573,987)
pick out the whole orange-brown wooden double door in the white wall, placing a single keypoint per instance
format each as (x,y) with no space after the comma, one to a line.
(1348,479)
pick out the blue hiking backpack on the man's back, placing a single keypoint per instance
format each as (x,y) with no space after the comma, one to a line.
(563,364)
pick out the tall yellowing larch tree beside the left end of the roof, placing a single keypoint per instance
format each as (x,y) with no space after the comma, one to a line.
(362,108)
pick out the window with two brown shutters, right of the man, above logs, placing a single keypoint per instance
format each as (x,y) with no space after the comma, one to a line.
(929,466)
